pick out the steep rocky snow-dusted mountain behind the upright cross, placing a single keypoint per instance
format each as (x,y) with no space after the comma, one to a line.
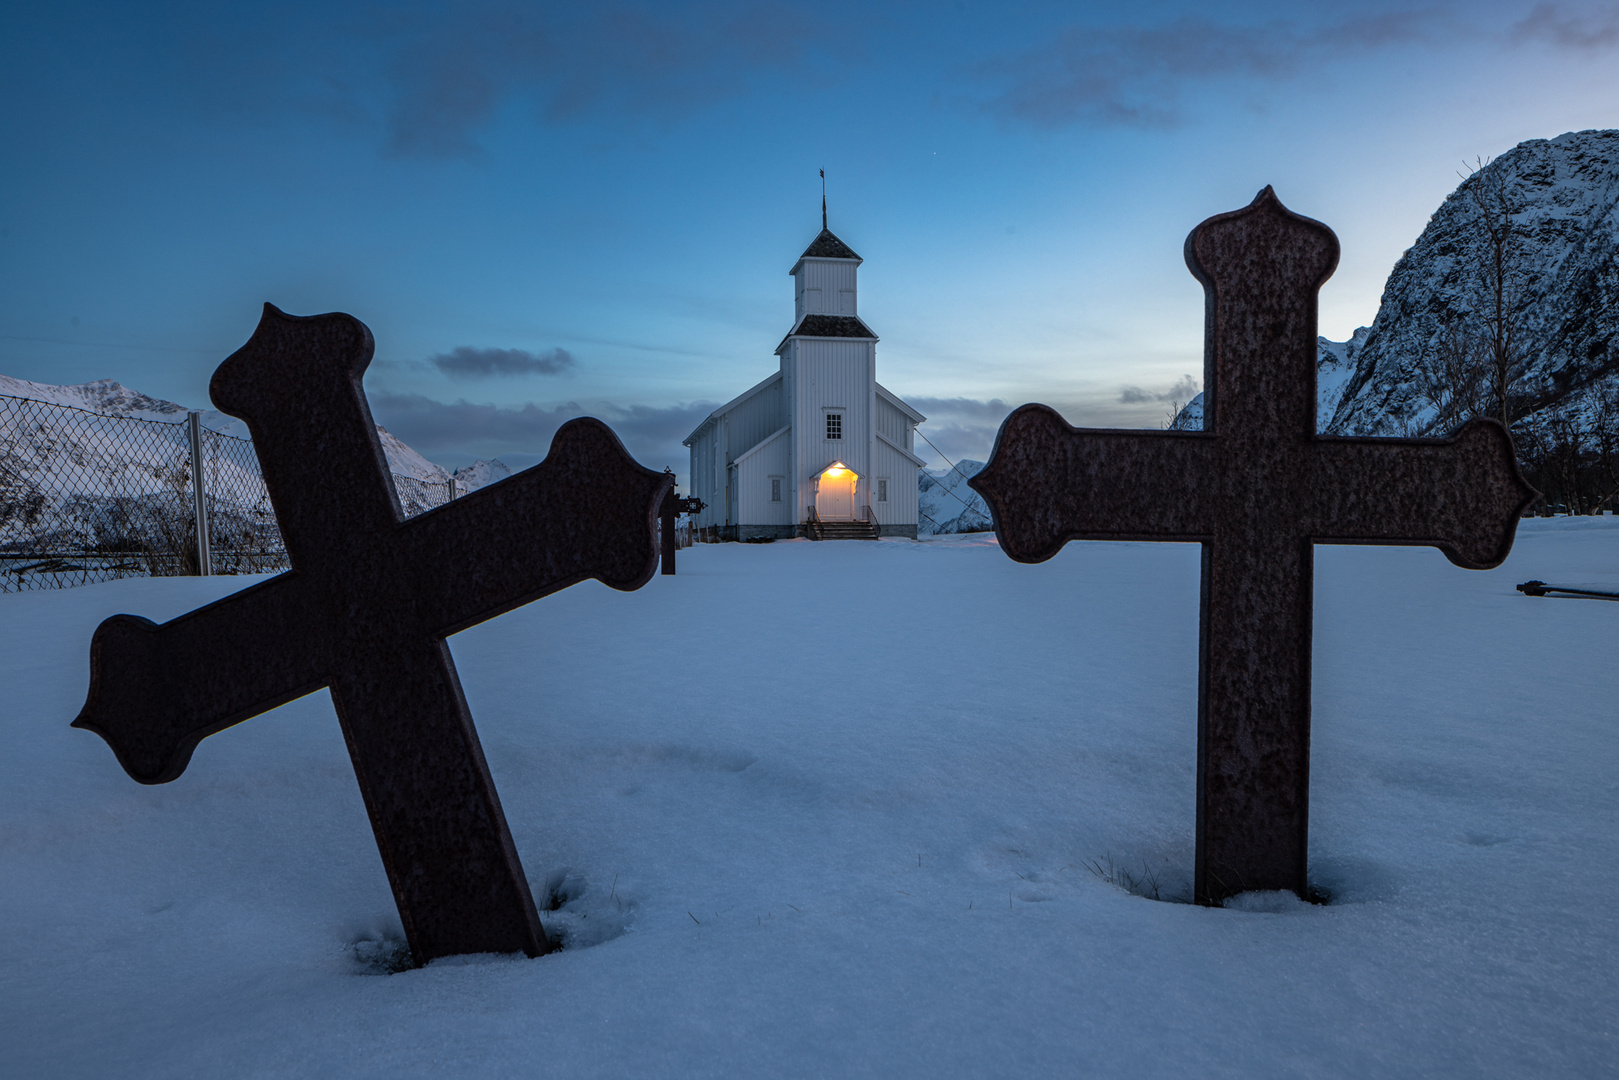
(1563,202)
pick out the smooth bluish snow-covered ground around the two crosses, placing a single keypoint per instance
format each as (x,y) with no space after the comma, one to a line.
(828,810)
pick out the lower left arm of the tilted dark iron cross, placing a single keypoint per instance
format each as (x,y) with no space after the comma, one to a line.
(158,691)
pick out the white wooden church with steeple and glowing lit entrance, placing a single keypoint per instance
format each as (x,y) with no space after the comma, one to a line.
(820,449)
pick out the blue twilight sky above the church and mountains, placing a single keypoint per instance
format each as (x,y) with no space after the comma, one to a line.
(556,210)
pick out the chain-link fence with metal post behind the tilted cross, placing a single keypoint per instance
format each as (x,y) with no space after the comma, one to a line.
(90,498)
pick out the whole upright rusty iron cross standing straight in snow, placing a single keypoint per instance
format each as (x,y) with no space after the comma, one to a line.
(1259,490)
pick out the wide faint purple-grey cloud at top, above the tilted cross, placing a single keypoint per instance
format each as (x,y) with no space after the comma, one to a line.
(428,79)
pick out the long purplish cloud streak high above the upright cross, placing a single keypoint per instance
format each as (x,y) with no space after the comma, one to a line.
(1141,75)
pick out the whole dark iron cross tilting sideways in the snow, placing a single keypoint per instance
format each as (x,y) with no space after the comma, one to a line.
(367,610)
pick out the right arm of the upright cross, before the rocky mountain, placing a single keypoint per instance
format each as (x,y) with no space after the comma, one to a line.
(1463,495)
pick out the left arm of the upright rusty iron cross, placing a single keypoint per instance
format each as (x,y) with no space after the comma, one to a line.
(1048,483)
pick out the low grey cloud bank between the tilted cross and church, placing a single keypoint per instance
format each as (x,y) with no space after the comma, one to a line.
(462,432)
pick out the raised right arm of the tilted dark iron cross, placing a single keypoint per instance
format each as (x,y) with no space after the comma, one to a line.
(589,511)
